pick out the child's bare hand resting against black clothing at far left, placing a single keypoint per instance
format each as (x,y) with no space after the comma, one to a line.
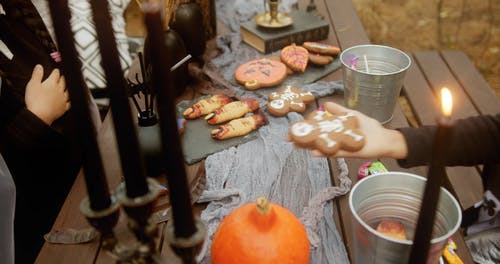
(48,99)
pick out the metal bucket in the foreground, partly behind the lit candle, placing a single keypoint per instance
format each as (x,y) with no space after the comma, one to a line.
(397,196)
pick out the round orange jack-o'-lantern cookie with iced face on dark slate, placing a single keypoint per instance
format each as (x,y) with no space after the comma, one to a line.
(260,73)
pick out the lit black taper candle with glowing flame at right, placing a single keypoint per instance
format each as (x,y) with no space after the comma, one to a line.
(436,174)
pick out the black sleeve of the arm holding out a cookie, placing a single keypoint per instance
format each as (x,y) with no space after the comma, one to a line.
(475,140)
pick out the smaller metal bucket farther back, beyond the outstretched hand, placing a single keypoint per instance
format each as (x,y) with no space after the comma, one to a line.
(373,77)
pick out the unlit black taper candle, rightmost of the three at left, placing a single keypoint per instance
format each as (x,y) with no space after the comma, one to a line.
(173,157)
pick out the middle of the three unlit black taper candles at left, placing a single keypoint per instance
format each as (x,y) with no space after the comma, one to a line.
(126,136)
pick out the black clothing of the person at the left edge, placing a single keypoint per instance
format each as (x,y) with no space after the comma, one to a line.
(43,160)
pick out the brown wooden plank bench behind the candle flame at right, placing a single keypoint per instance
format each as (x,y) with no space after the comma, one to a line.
(472,96)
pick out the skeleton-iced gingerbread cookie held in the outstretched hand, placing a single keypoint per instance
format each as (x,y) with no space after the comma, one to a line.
(328,133)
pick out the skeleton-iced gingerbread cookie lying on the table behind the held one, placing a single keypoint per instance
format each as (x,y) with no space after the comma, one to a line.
(288,99)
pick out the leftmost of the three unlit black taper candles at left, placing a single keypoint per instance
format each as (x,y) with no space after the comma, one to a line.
(93,169)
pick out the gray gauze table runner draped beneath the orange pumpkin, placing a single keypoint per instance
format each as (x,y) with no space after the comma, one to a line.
(272,167)
